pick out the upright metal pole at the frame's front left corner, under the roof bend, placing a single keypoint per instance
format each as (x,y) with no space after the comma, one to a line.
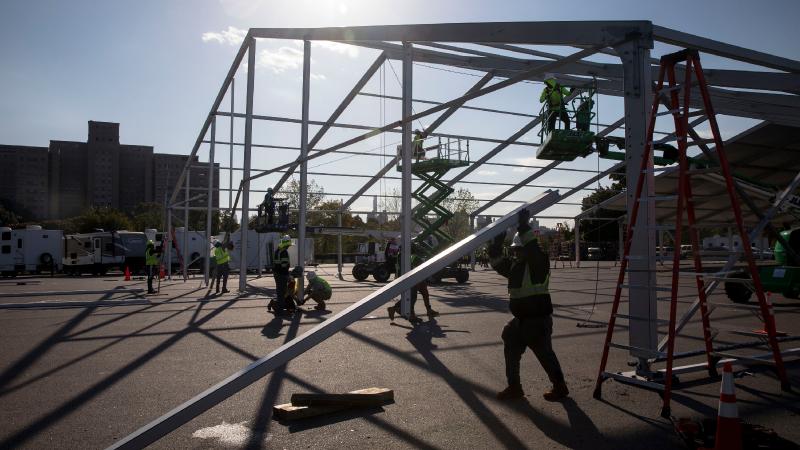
(248,142)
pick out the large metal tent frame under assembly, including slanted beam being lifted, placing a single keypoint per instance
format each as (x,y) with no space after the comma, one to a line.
(765,95)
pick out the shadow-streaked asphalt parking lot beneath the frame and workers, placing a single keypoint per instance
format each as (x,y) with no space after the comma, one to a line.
(82,371)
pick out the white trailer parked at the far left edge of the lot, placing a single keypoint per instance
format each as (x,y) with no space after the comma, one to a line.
(31,250)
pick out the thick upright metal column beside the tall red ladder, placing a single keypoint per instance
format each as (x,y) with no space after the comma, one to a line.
(635,56)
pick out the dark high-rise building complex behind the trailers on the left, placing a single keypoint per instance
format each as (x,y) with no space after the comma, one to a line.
(63,180)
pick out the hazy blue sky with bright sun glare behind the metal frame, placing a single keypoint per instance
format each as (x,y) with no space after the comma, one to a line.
(156,66)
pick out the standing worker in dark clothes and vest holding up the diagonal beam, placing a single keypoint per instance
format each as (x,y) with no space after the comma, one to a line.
(528,273)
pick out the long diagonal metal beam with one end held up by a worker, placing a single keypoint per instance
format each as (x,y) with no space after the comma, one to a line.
(306,341)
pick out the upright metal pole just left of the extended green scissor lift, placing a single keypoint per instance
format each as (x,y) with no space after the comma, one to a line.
(405,256)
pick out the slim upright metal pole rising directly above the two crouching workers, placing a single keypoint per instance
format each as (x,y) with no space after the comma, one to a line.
(301,225)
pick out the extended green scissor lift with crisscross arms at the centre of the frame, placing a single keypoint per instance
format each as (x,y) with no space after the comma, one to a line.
(429,214)
